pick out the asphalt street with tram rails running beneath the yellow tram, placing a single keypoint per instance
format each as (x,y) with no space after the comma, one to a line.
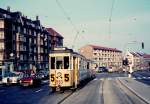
(106,88)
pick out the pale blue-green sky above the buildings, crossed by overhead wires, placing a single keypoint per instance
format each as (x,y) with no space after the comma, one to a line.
(83,22)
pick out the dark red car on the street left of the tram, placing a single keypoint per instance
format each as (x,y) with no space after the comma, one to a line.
(30,80)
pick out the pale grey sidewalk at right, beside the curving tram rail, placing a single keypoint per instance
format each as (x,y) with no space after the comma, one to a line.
(140,89)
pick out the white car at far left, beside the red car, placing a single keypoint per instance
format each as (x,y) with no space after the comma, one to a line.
(12,78)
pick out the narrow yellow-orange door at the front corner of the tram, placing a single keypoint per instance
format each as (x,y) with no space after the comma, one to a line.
(75,71)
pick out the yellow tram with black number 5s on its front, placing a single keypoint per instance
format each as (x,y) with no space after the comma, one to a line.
(68,68)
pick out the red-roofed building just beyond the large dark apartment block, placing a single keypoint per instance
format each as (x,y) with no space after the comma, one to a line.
(56,38)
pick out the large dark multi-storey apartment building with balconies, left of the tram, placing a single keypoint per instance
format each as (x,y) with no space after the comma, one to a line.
(24,43)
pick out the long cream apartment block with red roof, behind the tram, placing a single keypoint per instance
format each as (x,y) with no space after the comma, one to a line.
(103,56)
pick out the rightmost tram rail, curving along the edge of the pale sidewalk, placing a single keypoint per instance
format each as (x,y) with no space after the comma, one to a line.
(127,90)
